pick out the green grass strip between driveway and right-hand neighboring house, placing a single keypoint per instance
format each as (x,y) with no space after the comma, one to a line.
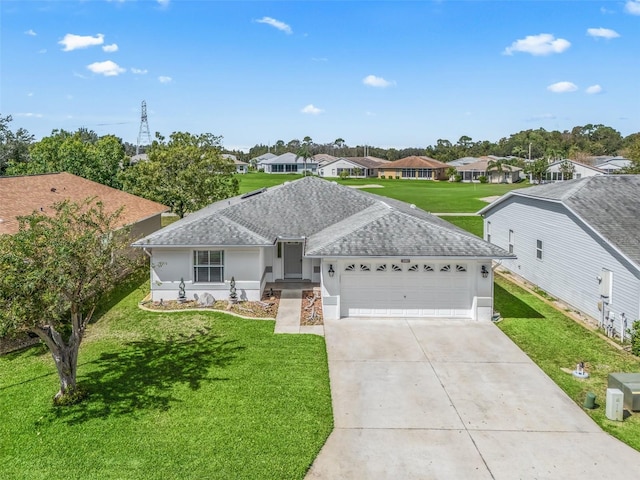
(554,341)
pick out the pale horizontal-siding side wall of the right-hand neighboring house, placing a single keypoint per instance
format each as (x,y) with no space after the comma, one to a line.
(573,256)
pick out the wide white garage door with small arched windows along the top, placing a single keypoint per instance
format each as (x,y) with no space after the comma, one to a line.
(406,290)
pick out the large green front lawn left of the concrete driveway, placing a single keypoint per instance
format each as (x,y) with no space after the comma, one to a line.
(178,395)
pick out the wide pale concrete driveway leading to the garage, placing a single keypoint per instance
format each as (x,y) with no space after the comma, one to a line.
(453,399)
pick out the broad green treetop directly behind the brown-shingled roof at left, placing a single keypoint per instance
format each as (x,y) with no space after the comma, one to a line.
(81,153)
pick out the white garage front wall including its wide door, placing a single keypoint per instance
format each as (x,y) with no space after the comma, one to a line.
(407,293)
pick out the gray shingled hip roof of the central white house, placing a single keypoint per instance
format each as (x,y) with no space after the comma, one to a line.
(335,221)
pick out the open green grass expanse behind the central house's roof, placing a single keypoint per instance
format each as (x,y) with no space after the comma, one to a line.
(435,197)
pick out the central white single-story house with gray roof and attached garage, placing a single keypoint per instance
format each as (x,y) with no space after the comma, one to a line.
(372,256)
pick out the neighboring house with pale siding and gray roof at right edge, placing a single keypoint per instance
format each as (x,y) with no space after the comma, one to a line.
(578,241)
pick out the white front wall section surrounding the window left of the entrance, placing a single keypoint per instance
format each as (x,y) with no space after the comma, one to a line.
(168,266)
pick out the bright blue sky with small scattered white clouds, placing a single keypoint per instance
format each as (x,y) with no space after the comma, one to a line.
(389,74)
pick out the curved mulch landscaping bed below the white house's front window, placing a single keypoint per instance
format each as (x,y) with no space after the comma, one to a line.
(266,308)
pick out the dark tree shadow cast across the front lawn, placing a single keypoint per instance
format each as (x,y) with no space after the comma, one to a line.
(143,374)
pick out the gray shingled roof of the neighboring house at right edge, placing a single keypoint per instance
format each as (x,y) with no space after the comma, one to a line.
(610,204)
